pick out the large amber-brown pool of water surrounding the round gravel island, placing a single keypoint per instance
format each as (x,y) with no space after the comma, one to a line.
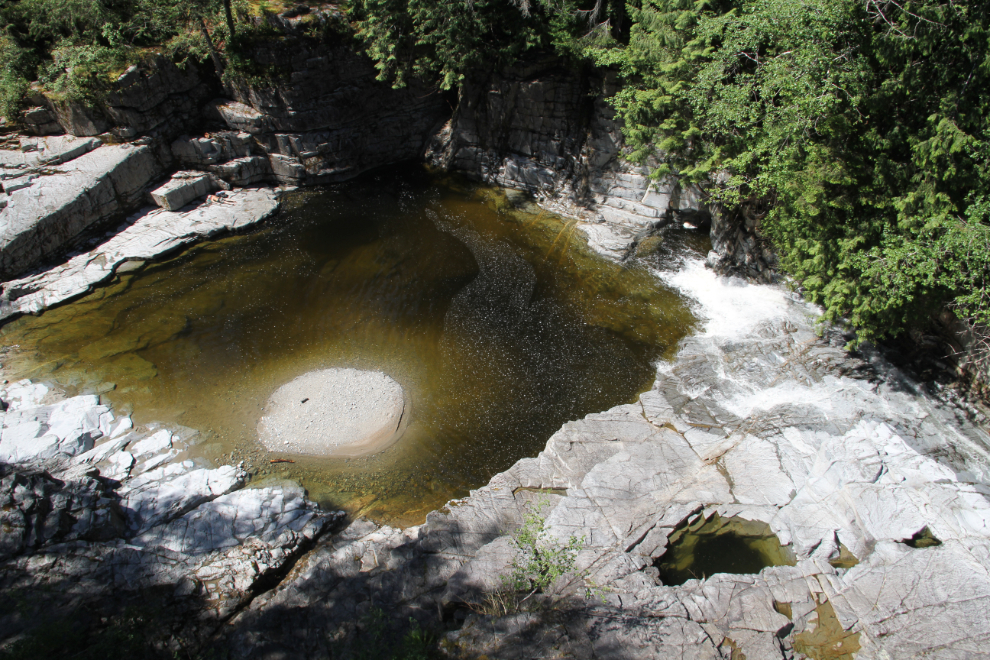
(498,324)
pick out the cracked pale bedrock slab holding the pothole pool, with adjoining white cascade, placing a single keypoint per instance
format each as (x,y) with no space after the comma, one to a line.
(754,419)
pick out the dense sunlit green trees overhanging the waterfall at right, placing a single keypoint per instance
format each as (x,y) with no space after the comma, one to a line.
(855,128)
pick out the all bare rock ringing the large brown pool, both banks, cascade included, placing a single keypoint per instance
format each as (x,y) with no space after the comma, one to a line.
(877,490)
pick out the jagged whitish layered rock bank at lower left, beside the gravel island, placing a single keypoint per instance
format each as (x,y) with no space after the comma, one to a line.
(99,511)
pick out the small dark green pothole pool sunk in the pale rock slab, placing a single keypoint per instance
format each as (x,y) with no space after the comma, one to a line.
(705,547)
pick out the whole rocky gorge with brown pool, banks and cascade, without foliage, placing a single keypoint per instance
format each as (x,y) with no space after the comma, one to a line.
(570,337)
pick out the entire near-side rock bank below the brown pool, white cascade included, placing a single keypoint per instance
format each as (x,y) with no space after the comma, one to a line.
(756,418)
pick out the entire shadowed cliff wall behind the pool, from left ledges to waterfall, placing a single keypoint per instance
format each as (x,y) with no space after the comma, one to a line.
(542,126)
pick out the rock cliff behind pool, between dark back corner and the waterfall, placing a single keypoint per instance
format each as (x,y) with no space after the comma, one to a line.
(548,129)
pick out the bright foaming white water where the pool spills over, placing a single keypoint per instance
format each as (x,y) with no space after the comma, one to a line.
(732,307)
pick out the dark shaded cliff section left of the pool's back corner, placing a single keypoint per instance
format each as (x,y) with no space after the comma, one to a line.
(331,120)
